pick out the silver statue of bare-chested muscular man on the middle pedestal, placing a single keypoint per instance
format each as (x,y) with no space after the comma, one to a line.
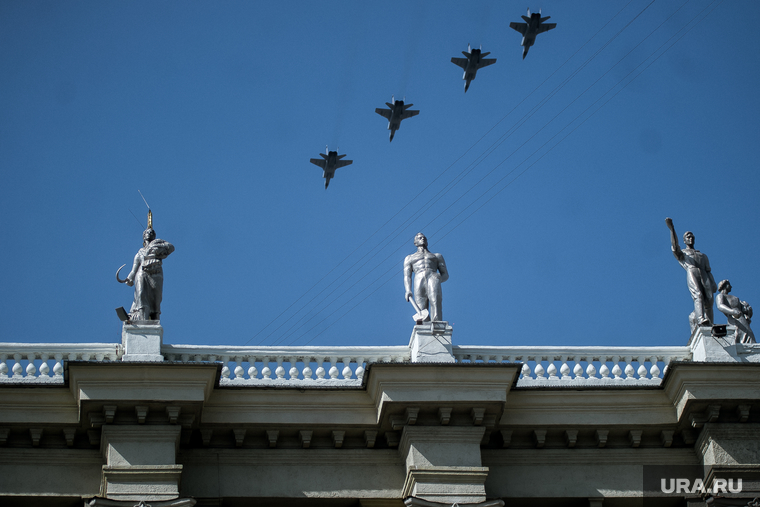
(429,272)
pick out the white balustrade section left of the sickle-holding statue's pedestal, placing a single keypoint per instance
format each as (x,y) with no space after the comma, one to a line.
(42,363)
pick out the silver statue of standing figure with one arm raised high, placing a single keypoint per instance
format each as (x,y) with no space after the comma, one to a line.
(699,278)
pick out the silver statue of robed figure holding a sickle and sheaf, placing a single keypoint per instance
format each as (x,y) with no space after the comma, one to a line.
(147,276)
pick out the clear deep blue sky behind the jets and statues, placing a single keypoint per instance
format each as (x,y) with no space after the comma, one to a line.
(213,109)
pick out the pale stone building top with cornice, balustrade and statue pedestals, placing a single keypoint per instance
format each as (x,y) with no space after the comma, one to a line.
(429,424)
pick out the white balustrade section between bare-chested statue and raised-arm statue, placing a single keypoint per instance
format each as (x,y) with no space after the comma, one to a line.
(553,366)
